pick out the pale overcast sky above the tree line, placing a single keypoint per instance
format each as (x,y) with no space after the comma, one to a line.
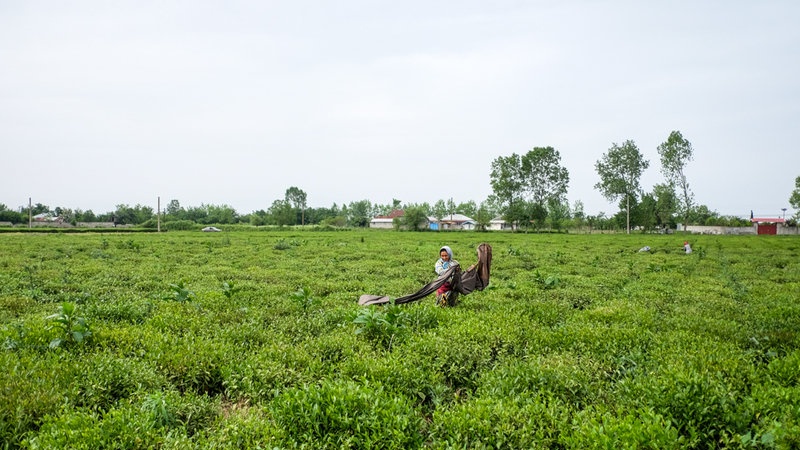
(122,102)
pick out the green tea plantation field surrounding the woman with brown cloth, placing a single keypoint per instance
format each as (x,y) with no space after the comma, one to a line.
(255,339)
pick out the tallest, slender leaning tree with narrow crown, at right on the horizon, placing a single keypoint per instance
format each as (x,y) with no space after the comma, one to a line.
(676,152)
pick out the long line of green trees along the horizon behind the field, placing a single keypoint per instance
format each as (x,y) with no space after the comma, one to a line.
(528,191)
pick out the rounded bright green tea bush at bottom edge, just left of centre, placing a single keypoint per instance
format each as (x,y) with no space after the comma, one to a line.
(346,414)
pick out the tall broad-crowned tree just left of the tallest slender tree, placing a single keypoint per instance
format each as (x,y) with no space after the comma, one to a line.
(620,170)
